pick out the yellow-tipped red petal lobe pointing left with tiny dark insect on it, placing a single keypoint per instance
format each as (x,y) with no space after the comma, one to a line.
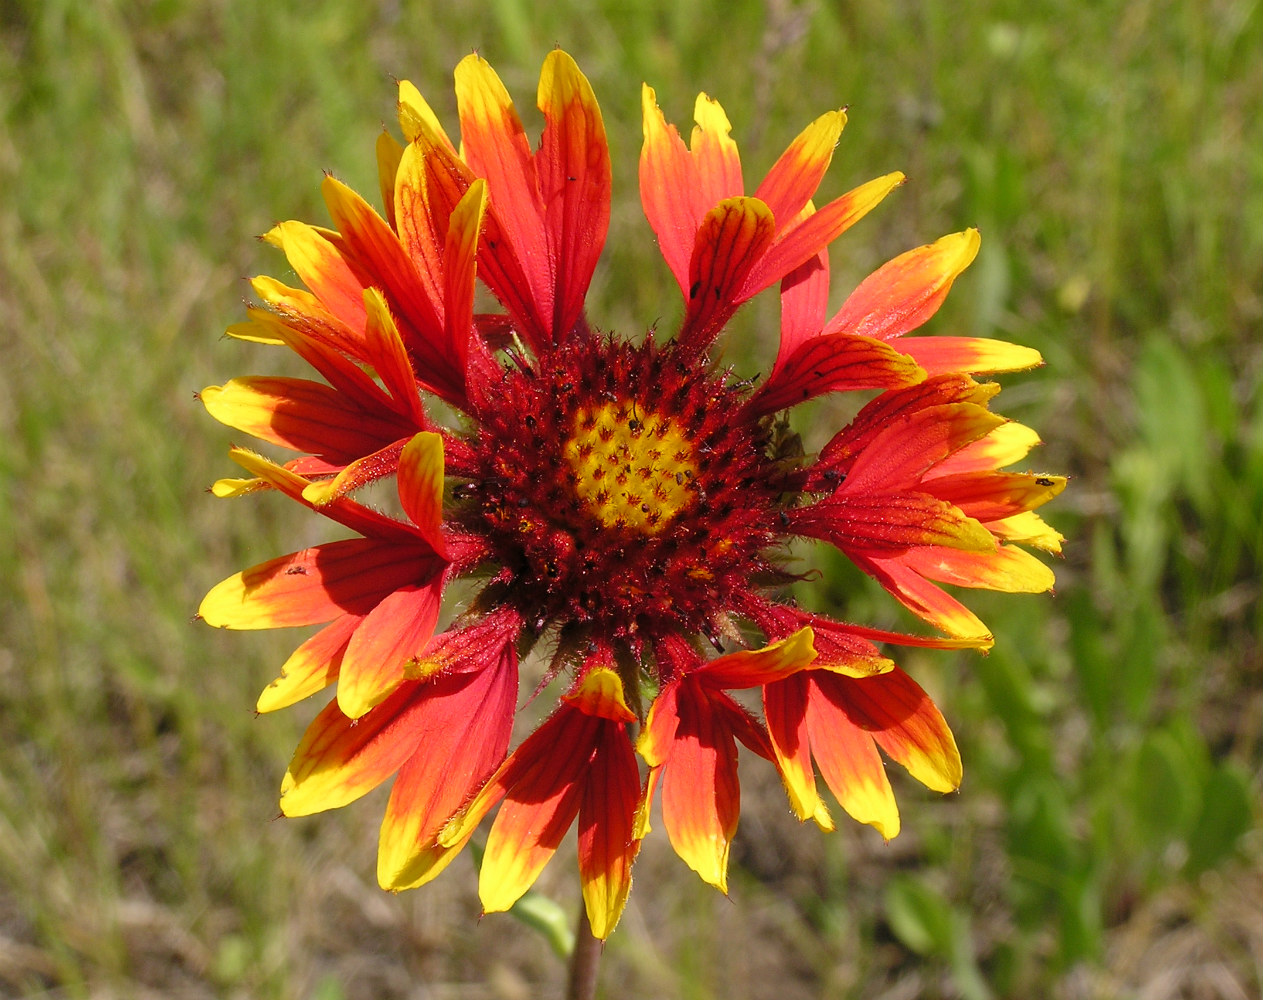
(311,586)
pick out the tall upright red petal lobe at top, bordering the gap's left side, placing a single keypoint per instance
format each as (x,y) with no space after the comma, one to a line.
(574,165)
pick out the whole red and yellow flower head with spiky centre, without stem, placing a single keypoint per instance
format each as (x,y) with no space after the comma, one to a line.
(622,503)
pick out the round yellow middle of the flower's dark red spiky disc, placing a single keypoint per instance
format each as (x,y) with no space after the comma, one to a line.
(632,469)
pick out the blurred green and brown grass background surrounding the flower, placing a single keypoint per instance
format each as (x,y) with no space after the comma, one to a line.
(1107,840)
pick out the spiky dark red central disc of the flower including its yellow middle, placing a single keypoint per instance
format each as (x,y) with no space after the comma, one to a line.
(623,489)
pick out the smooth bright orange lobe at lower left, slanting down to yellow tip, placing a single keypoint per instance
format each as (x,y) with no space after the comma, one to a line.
(392,634)
